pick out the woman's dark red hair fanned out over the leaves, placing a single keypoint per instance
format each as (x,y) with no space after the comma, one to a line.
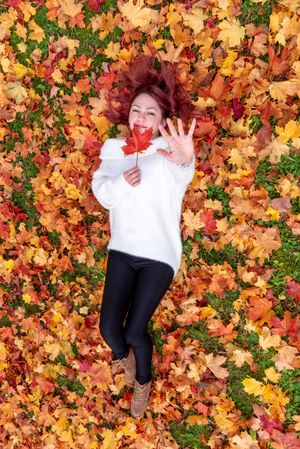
(143,76)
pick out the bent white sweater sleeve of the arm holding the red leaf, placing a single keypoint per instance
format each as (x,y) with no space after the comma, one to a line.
(107,188)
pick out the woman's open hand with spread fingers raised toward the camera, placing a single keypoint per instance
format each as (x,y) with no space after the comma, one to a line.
(181,145)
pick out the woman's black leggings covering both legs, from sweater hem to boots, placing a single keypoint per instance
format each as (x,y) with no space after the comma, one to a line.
(134,287)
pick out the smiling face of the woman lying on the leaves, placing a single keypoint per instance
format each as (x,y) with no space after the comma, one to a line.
(145,113)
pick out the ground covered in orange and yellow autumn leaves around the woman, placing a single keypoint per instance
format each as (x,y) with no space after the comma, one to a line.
(226,366)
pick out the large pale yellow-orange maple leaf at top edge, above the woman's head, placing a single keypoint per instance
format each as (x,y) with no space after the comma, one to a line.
(138,14)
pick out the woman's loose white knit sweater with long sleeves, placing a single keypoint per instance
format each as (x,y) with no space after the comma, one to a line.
(144,220)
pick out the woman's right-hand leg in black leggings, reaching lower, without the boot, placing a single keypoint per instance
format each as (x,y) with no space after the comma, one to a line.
(152,282)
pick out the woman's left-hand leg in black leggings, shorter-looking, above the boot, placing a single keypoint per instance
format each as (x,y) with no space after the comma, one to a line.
(117,295)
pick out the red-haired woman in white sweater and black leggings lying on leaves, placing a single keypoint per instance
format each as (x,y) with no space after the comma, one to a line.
(145,209)
